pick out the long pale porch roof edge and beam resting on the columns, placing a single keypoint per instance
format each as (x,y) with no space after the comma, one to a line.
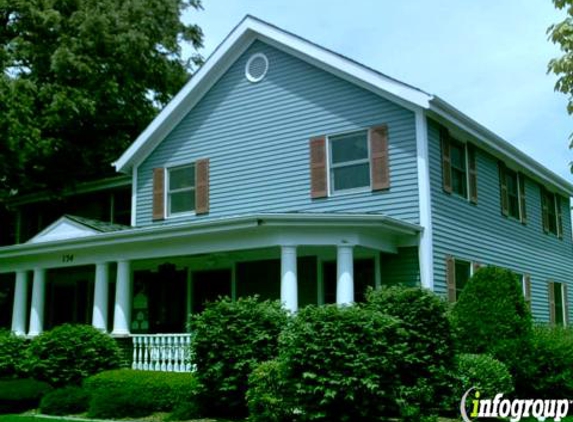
(226,234)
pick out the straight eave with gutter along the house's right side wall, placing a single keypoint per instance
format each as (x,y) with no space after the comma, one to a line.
(499,146)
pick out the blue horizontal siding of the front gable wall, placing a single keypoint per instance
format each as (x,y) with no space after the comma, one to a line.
(257,139)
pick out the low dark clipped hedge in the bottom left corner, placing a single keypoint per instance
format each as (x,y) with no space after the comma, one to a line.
(18,395)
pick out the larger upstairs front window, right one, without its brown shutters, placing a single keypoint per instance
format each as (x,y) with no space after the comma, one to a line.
(349,161)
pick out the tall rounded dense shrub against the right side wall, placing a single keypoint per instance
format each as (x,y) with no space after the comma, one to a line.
(491,315)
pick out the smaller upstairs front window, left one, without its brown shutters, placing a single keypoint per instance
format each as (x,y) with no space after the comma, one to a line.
(181,189)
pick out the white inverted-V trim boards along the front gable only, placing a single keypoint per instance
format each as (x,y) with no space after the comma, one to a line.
(226,54)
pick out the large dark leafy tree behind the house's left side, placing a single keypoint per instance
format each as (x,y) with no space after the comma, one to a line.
(81,79)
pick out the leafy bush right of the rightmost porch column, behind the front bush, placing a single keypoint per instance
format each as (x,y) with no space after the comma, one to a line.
(425,370)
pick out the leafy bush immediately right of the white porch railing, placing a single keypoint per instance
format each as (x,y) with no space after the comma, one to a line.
(231,338)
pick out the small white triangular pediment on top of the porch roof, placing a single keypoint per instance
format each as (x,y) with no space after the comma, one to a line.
(71,227)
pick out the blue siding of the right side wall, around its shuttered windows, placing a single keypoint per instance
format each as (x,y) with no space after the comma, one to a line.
(480,232)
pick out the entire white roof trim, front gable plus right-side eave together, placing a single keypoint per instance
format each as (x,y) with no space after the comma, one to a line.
(251,29)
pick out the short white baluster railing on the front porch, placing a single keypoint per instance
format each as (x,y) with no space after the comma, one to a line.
(162,352)
